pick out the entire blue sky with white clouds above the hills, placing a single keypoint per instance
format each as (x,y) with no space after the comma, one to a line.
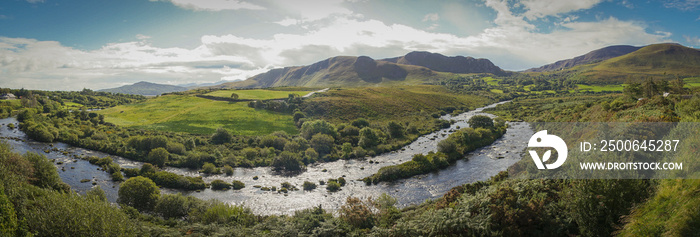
(97,44)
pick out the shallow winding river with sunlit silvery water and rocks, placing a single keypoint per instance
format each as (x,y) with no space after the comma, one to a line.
(478,165)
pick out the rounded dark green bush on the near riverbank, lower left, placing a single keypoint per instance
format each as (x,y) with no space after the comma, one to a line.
(140,193)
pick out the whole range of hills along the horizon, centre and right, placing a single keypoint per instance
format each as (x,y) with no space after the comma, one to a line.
(613,64)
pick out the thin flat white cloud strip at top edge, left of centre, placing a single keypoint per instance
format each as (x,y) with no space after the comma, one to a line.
(212,5)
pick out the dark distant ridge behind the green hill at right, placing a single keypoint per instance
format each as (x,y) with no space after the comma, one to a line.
(591,57)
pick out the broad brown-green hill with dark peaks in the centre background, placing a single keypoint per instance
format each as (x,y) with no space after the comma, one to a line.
(414,68)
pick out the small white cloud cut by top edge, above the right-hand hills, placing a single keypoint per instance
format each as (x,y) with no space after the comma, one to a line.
(542,8)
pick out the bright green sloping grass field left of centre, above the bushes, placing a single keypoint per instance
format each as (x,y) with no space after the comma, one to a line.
(178,113)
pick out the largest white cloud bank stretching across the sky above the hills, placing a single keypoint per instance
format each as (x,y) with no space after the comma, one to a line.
(511,42)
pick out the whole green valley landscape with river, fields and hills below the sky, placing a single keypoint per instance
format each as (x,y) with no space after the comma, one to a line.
(389,147)
